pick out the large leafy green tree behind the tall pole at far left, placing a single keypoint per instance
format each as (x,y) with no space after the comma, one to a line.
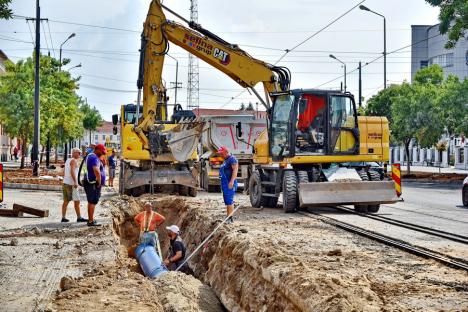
(59,102)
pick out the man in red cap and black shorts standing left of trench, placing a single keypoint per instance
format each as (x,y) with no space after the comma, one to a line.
(94,180)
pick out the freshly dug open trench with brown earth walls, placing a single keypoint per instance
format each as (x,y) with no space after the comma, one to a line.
(220,263)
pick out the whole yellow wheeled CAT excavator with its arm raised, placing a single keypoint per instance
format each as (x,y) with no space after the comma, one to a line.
(316,149)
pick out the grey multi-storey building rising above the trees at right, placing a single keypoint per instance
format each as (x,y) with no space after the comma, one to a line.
(428,47)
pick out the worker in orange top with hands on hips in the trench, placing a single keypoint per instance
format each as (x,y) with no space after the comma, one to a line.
(148,220)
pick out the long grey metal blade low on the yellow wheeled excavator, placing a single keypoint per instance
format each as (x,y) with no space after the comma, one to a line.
(347,193)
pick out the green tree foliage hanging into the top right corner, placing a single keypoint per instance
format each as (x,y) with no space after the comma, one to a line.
(453,18)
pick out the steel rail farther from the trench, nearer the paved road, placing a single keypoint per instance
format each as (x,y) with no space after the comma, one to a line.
(415,227)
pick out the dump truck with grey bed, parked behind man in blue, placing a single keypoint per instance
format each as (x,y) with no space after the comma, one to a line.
(221,131)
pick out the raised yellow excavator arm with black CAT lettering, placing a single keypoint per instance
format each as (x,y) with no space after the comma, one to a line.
(228,58)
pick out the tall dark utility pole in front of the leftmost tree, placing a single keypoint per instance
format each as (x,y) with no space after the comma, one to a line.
(35,150)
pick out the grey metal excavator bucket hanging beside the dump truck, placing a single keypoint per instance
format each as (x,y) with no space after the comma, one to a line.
(184,138)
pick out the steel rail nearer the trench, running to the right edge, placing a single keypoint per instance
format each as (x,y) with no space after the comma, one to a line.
(419,251)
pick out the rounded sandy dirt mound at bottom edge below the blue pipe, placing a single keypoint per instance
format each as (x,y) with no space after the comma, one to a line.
(180,292)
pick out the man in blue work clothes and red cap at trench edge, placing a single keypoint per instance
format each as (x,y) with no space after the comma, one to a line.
(228,176)
